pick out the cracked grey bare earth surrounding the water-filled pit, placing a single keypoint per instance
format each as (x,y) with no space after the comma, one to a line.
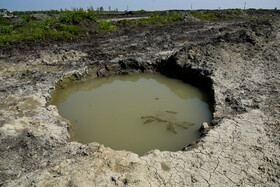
(242,148)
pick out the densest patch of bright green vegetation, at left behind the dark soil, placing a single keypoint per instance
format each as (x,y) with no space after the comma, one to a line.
(30,29)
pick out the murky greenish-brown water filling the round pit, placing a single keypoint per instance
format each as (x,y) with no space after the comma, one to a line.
(136,113)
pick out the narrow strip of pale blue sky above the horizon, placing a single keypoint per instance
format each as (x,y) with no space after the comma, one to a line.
(137,4)
